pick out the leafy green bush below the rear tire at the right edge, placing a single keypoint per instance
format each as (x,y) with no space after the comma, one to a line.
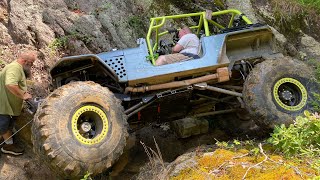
(301,138)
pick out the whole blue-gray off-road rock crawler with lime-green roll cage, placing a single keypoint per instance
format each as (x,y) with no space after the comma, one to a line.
(82,125)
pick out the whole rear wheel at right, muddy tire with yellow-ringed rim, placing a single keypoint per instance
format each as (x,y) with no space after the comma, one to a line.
(276,91)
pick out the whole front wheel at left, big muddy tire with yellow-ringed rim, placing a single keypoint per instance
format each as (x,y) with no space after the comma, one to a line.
(72,151)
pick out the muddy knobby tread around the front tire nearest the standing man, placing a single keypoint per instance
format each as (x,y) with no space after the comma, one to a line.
(45,129)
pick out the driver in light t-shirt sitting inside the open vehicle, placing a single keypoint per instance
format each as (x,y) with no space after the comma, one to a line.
(186,48)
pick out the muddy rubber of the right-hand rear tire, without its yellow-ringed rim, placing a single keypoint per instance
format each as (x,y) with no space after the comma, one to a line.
(257,92)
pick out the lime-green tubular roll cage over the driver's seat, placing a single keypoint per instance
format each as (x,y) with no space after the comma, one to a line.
(158,22)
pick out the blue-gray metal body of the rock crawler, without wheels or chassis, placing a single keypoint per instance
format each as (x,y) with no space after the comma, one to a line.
(130,67)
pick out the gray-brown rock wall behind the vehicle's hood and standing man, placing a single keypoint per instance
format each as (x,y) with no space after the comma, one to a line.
(73,27)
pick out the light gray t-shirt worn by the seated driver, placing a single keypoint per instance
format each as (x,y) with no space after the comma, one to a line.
(190,43)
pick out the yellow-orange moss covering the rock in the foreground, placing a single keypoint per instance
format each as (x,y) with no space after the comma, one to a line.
(232,164)
